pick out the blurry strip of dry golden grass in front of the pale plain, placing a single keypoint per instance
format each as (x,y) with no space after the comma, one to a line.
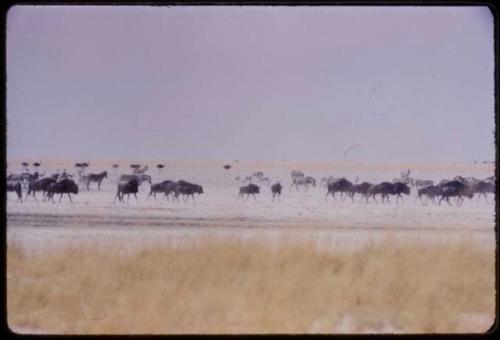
(235,287)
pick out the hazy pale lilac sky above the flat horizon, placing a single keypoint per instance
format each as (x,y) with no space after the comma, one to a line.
(404,83)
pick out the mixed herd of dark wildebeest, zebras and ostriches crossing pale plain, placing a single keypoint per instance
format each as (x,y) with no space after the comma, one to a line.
(129,184)
